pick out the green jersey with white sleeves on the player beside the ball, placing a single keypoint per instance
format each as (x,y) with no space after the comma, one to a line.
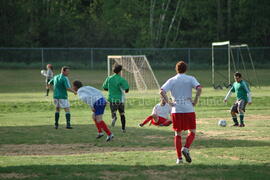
(241,89)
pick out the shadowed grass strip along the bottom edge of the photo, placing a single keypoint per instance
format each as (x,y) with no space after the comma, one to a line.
(111,171)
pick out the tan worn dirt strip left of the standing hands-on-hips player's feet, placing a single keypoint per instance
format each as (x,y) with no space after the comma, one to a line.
(66,149)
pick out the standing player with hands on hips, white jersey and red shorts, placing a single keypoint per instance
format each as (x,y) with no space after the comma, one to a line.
(183,115)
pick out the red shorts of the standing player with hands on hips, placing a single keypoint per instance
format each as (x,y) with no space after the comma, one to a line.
(183,121)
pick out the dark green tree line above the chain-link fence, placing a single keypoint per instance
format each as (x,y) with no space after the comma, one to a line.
(133,23)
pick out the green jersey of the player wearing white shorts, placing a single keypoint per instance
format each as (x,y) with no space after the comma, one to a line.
(60,84)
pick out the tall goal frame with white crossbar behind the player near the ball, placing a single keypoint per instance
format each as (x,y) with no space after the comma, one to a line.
(227,59)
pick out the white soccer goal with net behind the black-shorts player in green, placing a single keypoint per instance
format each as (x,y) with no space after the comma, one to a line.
(136,70)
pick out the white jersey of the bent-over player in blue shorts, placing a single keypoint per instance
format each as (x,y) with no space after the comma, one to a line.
(89,95)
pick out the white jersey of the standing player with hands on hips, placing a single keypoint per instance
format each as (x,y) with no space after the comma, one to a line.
(180,87)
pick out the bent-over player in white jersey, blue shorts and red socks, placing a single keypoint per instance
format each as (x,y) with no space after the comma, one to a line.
(94,98)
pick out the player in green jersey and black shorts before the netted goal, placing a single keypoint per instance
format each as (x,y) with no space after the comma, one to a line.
(116,84)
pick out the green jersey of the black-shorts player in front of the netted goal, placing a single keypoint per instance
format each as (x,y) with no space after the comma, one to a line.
(115,84)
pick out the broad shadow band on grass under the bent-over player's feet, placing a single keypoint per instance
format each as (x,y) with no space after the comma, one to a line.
(134,137)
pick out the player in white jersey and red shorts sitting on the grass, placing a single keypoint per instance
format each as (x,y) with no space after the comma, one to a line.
(160,115)
